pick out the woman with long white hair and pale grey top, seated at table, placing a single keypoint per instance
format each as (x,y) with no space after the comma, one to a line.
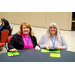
(53,39)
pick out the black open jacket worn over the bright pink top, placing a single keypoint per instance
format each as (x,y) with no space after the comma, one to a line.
(17,42)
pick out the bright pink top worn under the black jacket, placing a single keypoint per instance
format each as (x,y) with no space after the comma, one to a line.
(27,40)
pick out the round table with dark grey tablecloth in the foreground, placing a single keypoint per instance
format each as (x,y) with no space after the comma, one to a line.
(30,55)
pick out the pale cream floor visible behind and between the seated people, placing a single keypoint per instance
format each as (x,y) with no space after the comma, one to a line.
(69,36)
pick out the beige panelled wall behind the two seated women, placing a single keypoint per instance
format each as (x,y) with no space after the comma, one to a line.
(40,19)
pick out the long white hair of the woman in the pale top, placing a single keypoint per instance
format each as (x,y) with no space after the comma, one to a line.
(58,32)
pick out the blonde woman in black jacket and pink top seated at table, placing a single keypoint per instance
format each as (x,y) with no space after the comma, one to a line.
(23,39)
